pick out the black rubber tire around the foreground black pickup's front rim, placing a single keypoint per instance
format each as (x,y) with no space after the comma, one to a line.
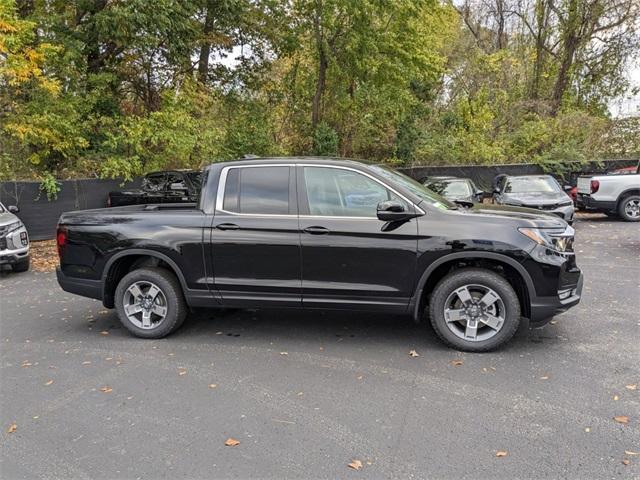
(481,277)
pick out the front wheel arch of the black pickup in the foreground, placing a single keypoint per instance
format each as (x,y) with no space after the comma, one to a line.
(436,270)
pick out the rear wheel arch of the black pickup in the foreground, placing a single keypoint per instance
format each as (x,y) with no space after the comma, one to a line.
(123,262)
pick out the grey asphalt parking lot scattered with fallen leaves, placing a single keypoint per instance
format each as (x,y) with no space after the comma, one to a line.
(305,394)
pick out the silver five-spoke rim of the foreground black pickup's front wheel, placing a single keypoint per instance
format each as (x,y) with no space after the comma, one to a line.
(474,313)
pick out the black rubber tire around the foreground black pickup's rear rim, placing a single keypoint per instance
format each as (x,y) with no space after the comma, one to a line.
(176,307)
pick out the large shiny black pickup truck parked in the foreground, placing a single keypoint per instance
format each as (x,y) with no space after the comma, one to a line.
(327,234)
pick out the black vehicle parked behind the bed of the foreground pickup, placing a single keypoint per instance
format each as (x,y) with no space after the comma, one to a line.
(175,186)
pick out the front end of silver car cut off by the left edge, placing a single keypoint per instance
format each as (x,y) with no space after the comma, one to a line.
(14,240)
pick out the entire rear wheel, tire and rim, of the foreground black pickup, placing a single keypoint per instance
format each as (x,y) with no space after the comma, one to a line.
(150,302)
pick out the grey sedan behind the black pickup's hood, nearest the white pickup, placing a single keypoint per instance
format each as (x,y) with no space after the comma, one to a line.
(541,192)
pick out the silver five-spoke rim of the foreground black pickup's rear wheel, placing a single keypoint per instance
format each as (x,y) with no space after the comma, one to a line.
(145,305)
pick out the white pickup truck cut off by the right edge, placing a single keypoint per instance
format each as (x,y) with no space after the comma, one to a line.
(614,195)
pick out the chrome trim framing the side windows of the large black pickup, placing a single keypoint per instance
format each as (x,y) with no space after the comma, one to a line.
(222,182)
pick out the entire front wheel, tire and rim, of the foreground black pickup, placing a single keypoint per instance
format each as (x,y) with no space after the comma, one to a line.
(474,310)
